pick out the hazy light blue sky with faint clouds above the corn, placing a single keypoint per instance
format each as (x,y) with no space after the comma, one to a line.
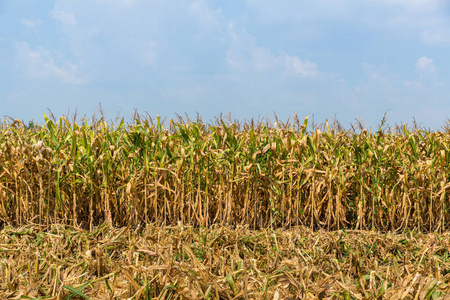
(349,59)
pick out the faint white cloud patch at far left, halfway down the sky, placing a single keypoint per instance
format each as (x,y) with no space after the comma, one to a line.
(40,64)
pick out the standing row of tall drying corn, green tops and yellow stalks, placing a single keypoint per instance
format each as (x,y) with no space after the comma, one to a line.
(256,174)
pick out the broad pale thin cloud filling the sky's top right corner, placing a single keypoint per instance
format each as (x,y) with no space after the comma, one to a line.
(424,19)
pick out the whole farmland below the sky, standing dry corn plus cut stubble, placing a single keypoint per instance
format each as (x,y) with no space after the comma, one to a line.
(252,210)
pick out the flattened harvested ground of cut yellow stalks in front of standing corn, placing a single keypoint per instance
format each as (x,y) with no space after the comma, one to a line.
(183,262)
